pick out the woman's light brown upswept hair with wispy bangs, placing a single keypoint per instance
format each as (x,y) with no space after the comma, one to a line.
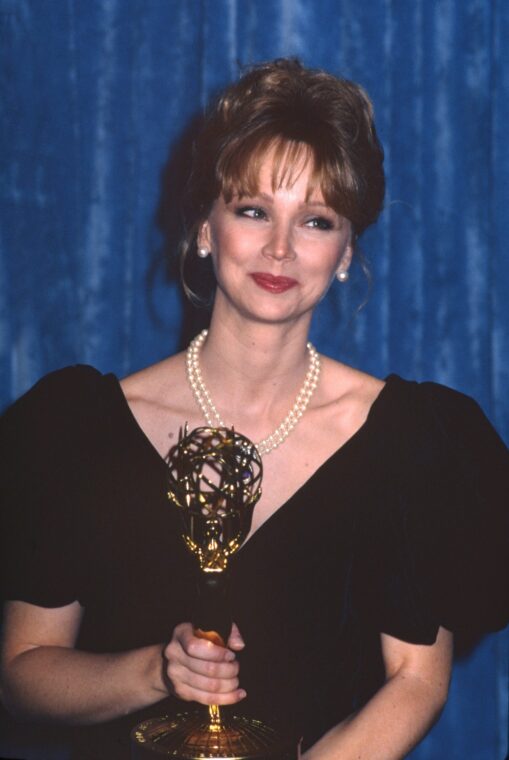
(285,107)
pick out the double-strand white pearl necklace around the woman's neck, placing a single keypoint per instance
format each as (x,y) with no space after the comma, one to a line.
(211,414)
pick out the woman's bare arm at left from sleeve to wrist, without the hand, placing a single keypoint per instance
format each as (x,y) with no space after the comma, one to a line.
(44,678)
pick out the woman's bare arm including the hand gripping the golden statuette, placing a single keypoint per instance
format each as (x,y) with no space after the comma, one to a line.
(44,678)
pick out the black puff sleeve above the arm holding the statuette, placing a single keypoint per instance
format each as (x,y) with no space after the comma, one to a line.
(46,447)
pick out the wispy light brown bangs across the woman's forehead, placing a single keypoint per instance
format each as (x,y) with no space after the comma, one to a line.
(238,170)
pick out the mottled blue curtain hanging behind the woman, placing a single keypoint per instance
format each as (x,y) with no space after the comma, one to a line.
(96,97)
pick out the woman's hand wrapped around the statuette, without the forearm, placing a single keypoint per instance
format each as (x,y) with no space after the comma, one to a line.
(201,671)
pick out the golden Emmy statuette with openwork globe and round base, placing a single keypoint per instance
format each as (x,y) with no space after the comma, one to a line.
(215,481)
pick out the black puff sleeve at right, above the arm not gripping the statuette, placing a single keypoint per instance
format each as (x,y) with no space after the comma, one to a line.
(436,551)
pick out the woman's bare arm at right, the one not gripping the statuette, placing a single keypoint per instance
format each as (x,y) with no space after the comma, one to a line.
(404,709)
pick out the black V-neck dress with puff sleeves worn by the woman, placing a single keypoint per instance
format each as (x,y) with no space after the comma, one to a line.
(403,529)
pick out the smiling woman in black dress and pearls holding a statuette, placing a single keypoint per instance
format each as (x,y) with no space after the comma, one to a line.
(358,564)
